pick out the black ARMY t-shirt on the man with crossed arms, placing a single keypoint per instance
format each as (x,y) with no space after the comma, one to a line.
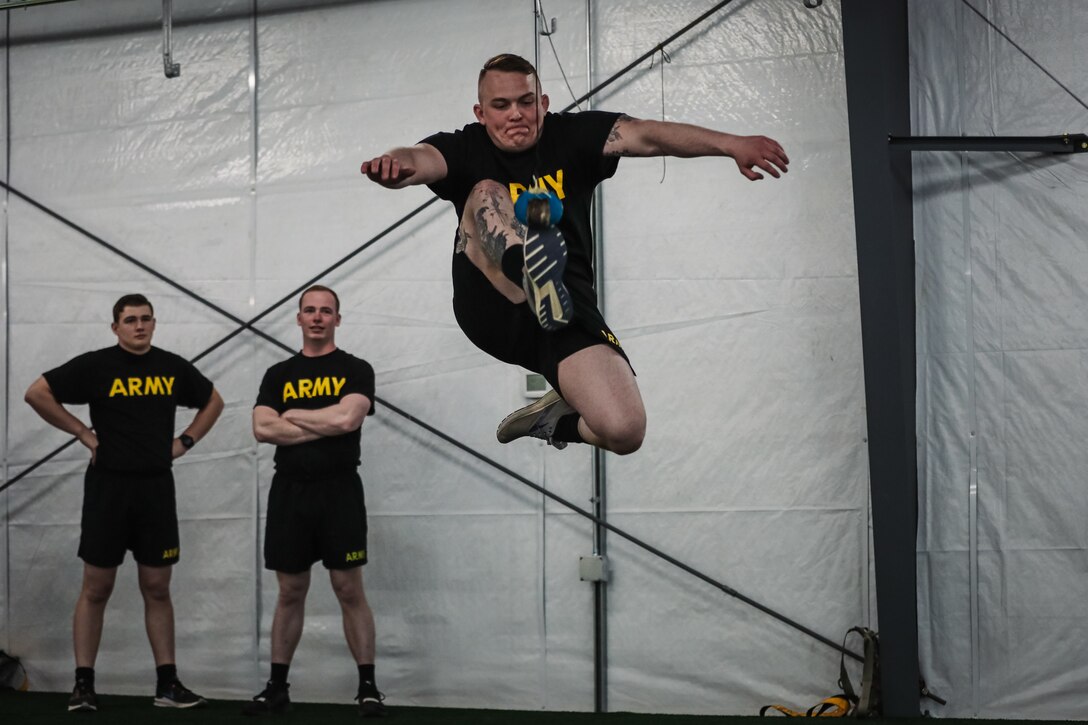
(312,384)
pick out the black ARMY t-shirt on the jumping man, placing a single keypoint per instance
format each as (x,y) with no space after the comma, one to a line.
(568,159)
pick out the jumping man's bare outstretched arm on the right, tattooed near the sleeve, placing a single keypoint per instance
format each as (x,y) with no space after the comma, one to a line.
(641,138)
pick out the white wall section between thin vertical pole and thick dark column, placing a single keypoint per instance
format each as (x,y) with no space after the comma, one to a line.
(738,305)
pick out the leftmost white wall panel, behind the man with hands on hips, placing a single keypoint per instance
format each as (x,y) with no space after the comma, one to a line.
(160,169)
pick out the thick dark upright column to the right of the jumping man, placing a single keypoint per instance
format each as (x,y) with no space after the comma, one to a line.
(875,44)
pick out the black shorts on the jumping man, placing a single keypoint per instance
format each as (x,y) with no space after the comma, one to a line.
(513,335)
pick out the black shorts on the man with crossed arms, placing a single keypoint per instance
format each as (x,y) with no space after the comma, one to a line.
(316,520)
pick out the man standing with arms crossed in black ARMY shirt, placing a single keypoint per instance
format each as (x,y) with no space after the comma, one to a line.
(313,407)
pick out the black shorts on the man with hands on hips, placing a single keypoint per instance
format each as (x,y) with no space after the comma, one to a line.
(135,512)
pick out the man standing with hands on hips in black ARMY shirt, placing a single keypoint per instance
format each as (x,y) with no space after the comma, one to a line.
(133,391)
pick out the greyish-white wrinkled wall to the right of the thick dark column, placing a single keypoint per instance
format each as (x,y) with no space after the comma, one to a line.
(1003,366)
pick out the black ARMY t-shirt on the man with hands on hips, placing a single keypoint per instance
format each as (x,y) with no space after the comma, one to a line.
(133,400)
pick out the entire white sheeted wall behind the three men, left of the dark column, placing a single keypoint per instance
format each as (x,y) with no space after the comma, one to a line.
(736,302)
